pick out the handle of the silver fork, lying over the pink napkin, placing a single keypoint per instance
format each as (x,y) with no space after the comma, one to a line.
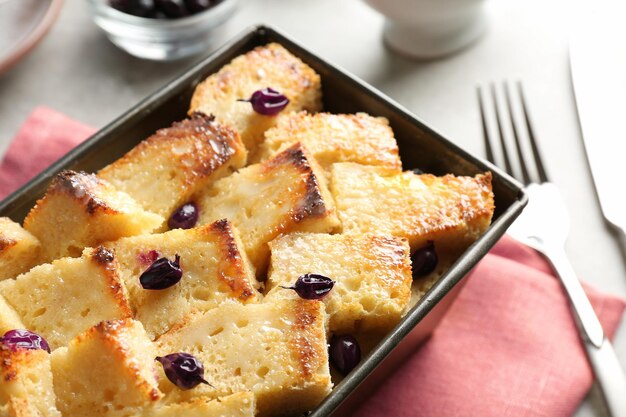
(604,362)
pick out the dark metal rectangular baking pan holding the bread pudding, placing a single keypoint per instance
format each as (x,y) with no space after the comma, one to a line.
(420,147)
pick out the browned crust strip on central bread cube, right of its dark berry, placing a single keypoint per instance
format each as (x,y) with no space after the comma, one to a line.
(231,269)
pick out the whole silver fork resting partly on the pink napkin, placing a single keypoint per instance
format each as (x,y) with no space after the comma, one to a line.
(544,225)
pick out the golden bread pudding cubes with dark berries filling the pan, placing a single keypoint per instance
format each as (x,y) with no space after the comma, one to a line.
(230,263)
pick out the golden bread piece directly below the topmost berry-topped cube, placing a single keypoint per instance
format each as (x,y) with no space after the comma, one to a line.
(333,138)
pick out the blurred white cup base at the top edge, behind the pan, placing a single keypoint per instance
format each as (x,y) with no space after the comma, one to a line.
(428,29)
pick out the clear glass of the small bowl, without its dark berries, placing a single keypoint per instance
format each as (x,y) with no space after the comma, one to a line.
(162,39)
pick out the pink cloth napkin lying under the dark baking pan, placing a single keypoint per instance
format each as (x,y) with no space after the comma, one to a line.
(507,347)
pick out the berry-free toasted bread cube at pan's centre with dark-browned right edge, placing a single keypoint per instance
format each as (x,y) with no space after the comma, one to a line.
(284,194)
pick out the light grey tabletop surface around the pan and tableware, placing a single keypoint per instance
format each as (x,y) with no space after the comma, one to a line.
(77,71)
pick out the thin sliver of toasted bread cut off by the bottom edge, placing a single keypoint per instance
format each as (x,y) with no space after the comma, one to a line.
(242,404)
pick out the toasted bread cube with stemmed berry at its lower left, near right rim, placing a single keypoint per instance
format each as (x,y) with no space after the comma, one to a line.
(372,276)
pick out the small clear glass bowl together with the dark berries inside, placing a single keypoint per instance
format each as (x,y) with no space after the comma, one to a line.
(162,30)
